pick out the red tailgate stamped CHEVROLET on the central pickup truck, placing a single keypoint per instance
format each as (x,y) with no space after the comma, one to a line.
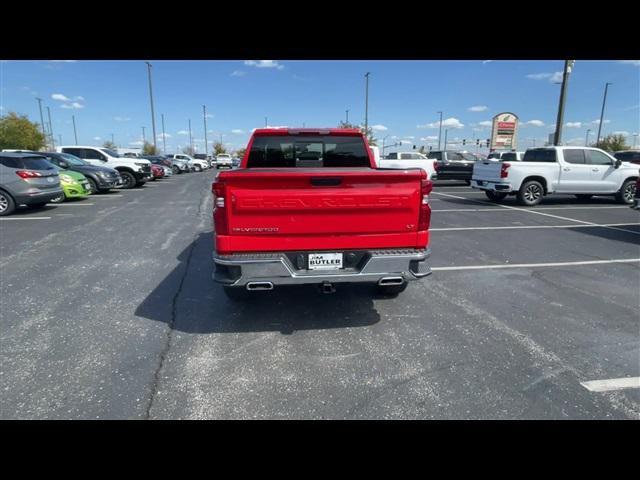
(320,209)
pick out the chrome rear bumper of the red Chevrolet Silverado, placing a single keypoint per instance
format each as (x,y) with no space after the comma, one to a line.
(277,269)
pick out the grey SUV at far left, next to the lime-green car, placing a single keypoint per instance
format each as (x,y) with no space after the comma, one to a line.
(26,179)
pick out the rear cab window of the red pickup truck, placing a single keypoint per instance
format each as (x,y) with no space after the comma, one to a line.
(300,151)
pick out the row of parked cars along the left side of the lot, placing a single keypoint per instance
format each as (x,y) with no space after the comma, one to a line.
(36,178)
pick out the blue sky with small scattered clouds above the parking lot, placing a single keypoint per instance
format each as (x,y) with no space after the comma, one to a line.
(111,97)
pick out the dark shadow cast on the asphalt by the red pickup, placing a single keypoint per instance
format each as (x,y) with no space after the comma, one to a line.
(189,301)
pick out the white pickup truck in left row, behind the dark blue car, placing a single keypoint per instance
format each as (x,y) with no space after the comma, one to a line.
(133,171)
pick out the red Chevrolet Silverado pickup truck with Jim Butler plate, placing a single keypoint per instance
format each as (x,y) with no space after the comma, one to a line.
(309,206)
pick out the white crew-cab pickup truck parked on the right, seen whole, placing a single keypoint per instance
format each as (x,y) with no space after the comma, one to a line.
(580,171)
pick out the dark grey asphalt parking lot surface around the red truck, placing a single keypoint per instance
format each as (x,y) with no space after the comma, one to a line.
(108,311)
